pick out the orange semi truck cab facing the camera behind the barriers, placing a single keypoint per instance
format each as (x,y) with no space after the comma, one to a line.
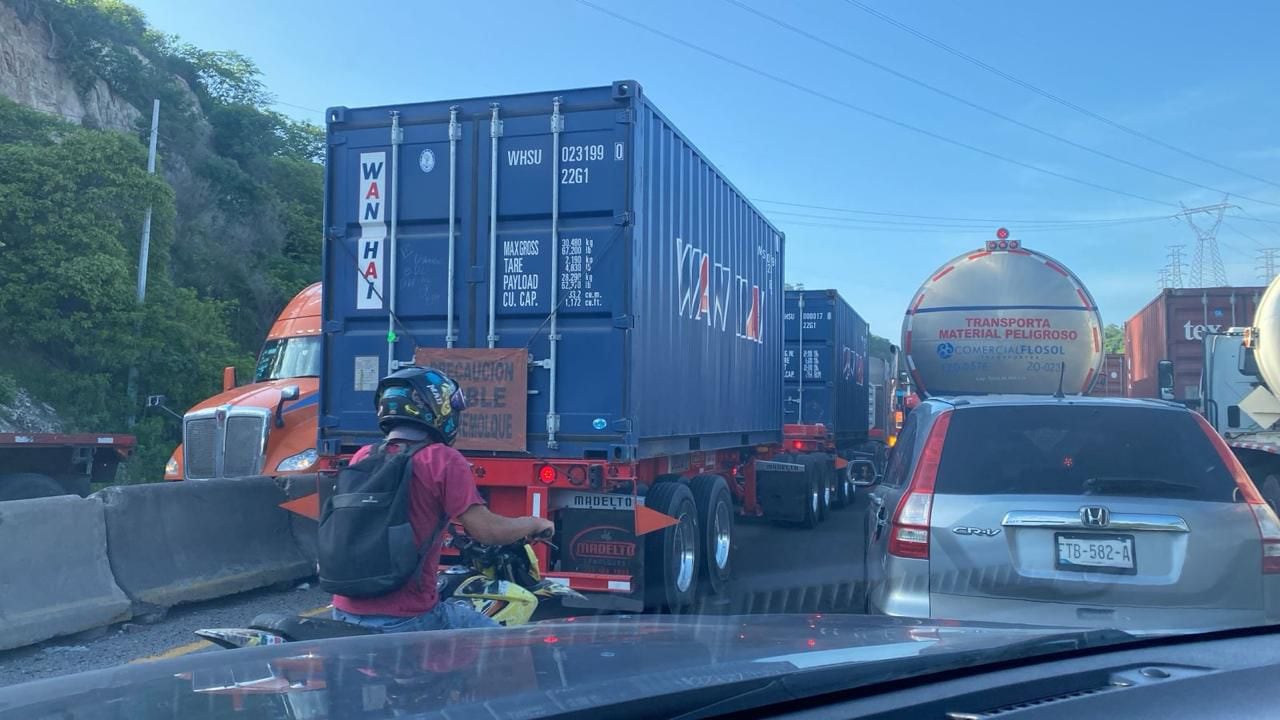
(267,427)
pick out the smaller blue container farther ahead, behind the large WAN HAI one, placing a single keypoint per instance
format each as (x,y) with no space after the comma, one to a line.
(826,364)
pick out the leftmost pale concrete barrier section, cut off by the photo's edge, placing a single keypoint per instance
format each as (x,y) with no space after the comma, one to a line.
(54,572)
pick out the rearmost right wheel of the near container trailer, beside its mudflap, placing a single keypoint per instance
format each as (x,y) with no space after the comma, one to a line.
(671,554)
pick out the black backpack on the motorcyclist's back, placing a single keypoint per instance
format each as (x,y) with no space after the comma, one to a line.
(365,543)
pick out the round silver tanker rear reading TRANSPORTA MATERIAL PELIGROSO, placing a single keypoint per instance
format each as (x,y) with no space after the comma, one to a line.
(1003,320)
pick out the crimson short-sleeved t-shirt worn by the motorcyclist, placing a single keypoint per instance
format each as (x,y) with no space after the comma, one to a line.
(442,484)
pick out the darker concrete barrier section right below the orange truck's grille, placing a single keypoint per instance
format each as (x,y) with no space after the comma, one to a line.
(198,540)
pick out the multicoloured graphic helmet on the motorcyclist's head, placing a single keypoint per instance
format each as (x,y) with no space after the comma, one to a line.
(424,398)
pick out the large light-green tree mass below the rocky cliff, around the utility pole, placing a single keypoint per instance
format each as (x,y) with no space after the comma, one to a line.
(72,203)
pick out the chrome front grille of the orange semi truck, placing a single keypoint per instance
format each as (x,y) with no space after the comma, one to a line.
(234,450)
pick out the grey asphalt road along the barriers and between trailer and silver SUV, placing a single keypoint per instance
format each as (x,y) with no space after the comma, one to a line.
(778,569)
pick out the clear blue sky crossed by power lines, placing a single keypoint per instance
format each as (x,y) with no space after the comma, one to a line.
(1203,81)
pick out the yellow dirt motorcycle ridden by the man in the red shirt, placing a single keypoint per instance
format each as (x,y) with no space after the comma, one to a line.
(502,582)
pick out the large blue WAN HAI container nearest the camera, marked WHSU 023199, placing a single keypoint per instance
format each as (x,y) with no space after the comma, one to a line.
(669,306)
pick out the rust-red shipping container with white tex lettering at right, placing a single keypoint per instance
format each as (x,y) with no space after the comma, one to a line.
(1173,326)
